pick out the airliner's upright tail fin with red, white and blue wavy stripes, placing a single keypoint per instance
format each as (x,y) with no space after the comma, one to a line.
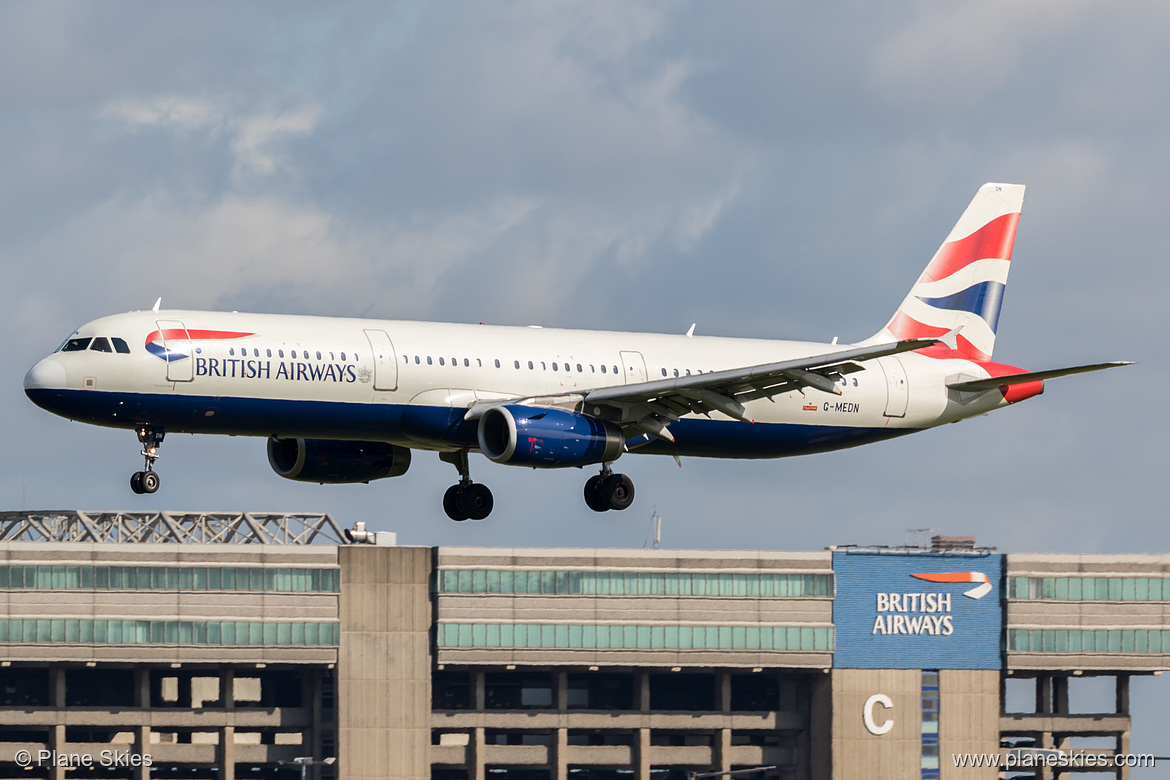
(965,284)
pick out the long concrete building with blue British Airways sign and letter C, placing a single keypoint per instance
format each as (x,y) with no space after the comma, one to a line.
(281,646)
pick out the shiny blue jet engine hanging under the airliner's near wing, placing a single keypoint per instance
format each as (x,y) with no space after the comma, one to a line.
(534,437)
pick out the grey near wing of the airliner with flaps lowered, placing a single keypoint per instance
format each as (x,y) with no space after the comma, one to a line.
(650,408)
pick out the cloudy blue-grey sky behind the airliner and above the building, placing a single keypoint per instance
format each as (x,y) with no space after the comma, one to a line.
(773,170)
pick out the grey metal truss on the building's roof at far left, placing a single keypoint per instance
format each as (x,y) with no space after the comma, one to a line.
(171,528)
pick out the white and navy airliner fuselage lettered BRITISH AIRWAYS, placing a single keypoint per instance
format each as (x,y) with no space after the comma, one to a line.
(355,379)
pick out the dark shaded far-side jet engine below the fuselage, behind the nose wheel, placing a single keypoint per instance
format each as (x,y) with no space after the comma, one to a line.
(327,461)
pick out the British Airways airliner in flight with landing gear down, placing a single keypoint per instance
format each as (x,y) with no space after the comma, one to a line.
(345,401)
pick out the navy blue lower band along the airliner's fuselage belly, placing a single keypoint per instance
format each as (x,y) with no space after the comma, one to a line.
(417,425)
